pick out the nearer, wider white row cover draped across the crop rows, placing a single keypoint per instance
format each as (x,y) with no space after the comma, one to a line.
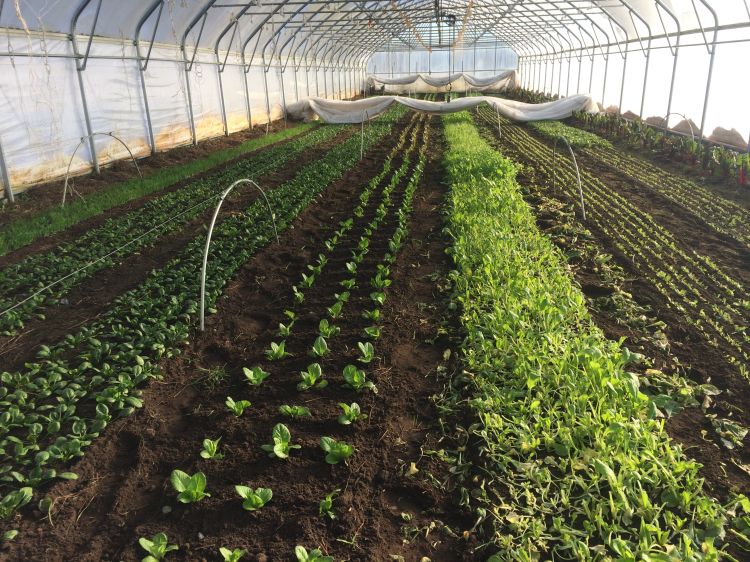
(332,111)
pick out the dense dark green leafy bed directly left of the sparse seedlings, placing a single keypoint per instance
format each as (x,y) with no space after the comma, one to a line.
(55,406)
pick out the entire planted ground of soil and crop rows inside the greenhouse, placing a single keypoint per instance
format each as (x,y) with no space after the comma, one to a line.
(438,359)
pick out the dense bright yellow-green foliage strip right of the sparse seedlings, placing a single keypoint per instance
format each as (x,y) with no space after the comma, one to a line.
(575,465)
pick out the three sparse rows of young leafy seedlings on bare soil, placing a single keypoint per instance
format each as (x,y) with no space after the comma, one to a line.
(197,488)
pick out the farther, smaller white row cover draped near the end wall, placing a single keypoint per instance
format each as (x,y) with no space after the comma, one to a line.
(432,84)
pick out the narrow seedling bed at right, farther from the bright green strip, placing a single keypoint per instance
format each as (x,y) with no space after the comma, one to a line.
(720,214)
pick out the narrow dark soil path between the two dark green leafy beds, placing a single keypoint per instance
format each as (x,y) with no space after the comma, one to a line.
(94,295)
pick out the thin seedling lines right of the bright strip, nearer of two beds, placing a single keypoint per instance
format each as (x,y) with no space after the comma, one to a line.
(703,294)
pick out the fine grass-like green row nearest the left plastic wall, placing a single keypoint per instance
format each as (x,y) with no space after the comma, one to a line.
(24,231)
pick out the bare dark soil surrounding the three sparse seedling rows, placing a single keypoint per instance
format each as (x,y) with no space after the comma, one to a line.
(383,508)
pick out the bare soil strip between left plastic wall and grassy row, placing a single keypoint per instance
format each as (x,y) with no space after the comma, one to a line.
(43,196)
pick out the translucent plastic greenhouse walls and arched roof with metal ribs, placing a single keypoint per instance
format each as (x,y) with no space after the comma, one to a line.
(160,73)
